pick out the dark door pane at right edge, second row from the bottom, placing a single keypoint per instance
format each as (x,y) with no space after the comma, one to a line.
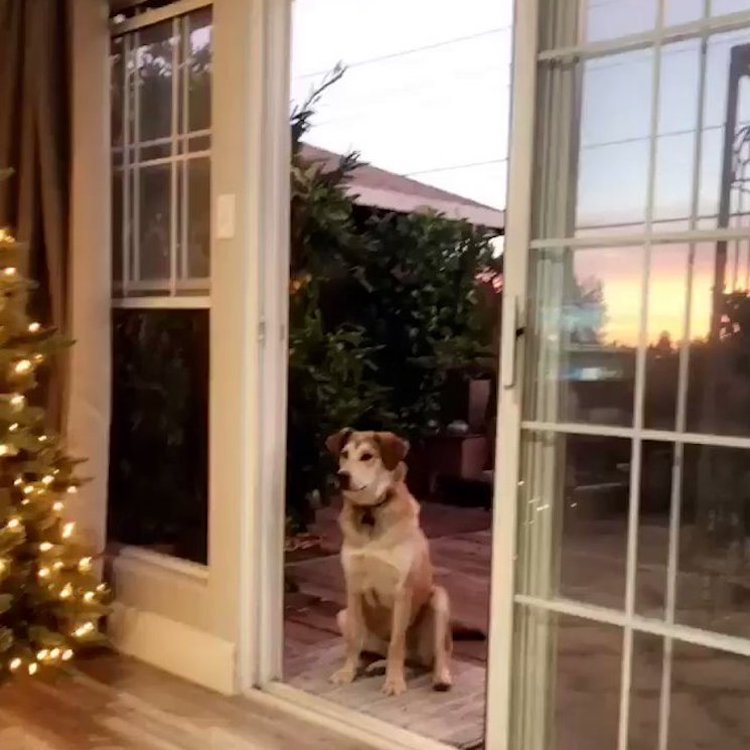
(713,587)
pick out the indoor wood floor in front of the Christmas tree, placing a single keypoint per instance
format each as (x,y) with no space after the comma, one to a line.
(115,703)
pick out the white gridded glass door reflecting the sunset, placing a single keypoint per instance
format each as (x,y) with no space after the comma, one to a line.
(621,571)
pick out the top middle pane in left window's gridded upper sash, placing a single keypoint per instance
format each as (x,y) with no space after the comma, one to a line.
(154,60)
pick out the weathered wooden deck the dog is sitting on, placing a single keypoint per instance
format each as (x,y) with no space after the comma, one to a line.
(460,545)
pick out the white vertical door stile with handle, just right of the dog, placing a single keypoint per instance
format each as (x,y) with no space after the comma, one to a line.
(515,271)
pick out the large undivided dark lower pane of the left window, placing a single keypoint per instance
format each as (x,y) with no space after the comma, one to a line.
(158,484)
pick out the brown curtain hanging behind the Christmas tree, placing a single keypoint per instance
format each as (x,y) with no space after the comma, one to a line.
(34,142)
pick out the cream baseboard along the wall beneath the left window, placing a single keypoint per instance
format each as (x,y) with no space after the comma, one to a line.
(176,648)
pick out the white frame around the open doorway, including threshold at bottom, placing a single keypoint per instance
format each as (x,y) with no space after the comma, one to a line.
(261,650)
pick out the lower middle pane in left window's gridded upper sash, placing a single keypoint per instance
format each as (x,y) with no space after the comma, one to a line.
(155,224)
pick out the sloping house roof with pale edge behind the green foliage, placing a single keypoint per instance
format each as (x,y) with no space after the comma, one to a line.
(377,188)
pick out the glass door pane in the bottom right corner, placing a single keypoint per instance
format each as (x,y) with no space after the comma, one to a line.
(709,700)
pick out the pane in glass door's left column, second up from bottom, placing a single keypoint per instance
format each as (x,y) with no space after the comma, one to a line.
(572,533)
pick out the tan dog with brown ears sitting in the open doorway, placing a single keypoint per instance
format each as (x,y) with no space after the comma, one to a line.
(394,609)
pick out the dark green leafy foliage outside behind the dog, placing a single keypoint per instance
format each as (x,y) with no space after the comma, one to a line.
(382,307)
